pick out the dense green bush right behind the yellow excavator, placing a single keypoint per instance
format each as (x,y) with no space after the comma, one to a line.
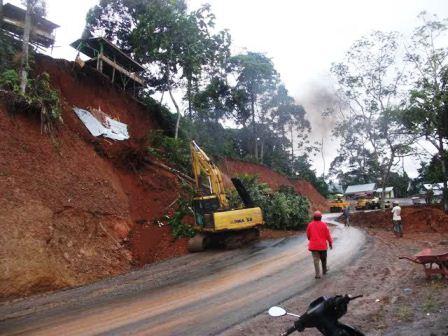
(282,210)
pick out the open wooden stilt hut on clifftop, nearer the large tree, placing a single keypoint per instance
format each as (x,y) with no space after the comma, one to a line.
(111,61)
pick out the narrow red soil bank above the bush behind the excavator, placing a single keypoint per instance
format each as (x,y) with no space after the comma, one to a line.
(275,180)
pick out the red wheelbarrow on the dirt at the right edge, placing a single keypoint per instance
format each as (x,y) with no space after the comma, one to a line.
(429,258)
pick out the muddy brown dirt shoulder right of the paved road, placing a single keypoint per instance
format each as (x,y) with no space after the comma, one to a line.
(398,300)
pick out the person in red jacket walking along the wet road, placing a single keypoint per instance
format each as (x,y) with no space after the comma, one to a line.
(318,235)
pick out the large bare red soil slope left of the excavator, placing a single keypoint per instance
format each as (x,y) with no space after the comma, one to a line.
(68,207)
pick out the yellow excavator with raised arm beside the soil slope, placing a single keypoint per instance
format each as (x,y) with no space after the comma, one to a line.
(215,222)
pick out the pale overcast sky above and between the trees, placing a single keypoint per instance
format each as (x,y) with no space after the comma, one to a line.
(303,37)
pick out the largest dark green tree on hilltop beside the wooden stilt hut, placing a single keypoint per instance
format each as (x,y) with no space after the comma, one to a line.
(176,44)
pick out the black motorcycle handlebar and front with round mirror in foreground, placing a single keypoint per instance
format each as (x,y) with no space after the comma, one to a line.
(322,314)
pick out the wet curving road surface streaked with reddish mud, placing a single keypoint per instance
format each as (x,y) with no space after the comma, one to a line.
(197,294)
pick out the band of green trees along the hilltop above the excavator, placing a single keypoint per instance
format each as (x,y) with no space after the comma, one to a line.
(186,52)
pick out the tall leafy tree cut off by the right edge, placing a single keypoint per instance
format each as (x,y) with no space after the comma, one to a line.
(427,116)
